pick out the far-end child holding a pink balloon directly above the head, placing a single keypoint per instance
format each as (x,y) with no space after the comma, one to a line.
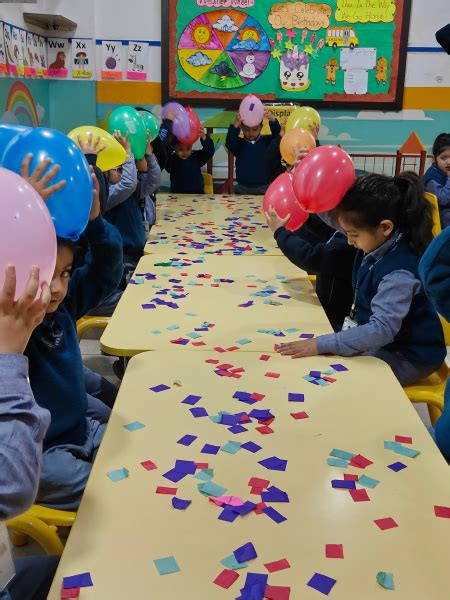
(250,152)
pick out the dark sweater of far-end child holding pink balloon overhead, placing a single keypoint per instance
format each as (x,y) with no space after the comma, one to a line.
(251,163)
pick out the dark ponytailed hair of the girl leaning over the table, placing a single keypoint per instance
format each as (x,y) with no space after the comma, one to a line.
(374,198)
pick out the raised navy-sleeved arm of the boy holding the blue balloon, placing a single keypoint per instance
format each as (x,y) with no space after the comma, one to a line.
(102,273)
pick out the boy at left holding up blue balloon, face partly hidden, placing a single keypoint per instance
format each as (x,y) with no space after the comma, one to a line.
(56,368)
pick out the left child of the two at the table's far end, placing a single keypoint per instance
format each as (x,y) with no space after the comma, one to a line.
(184,166)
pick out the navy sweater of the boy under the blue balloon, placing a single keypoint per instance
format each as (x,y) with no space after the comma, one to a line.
(55,365)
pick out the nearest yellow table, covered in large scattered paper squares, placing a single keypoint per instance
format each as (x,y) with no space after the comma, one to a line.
(123,526)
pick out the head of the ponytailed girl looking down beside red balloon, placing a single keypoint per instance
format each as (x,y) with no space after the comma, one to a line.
(376,206)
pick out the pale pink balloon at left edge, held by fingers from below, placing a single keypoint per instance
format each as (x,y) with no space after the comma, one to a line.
(27,234)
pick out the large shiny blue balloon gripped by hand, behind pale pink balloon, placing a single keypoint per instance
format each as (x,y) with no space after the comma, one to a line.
(69,207)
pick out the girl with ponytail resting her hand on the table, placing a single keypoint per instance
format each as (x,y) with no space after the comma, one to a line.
(389,222)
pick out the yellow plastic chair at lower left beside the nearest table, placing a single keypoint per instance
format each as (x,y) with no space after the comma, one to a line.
(41,524)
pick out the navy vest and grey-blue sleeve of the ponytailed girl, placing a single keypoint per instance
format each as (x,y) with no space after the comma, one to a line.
(391,309)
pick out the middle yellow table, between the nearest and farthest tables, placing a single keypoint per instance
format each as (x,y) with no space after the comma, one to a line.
(216,305)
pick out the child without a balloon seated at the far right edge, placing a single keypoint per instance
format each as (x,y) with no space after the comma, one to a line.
(437,178)
